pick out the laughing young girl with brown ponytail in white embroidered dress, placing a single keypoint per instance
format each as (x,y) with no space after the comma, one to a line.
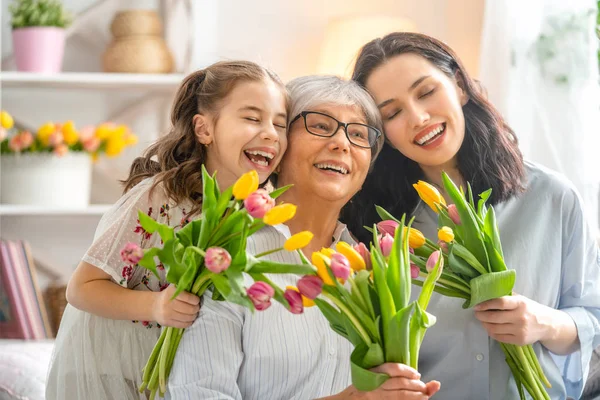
(231,117)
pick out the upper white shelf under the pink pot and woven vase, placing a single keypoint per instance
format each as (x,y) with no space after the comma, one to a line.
(90,80)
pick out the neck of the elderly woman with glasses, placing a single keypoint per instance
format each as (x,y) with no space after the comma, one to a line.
(315,215)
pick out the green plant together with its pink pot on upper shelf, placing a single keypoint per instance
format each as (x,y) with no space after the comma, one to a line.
(38,30)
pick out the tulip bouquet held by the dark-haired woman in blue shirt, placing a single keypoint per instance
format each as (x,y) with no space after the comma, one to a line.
(470,242)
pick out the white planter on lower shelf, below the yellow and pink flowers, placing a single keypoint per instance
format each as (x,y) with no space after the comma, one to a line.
(45,179)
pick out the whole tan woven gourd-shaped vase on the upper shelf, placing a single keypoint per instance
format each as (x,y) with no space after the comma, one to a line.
(137,45)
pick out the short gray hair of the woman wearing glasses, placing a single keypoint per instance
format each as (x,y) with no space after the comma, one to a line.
(309,92)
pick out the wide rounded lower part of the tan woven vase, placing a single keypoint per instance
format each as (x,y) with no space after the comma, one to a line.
(138,54)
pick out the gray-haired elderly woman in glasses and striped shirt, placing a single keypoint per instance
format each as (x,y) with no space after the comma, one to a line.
(231,353)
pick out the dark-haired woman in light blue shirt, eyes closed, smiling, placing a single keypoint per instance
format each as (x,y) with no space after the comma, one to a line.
(436,120)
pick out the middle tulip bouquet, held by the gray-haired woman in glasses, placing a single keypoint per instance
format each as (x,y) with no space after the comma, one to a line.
(372,309)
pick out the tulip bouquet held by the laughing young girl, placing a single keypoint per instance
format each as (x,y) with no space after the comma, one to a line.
(209,253)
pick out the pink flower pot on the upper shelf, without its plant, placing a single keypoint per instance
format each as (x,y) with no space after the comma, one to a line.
(39,49)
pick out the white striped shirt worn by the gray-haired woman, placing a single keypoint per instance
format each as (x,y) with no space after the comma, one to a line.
(231,353)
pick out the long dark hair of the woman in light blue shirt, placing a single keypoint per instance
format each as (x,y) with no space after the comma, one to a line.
(488,158)
